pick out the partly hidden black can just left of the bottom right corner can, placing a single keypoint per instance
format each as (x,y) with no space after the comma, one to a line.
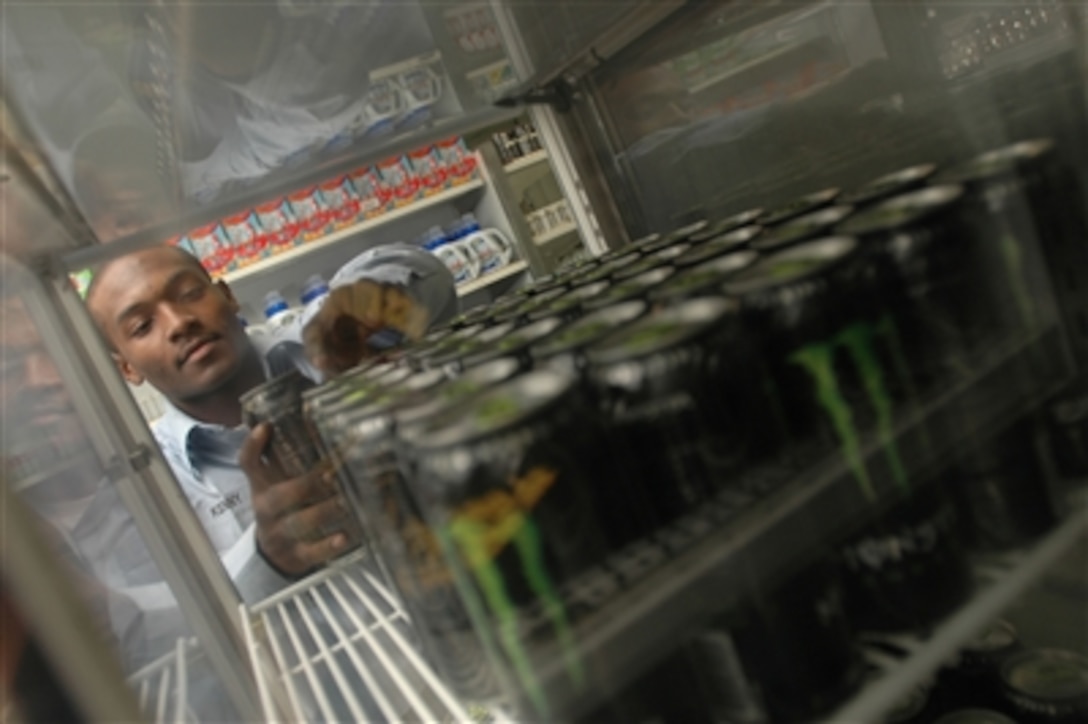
(973,679)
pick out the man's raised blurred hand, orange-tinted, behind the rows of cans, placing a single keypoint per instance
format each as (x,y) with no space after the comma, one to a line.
(337,338)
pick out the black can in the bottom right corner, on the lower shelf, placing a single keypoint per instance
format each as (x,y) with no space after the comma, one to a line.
(1047,686)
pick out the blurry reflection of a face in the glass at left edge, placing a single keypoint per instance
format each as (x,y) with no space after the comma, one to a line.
(38,411)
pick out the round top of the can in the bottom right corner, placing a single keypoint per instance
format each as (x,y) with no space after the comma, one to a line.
(1048,676)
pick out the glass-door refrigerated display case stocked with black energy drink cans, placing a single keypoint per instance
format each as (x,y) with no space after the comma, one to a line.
(800,439)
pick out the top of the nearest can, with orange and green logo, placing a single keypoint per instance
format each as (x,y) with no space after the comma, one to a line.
(500,409)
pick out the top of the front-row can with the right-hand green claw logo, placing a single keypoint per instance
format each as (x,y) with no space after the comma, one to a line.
(792,266)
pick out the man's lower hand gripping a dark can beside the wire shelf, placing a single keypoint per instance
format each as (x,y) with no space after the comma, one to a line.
(302,523)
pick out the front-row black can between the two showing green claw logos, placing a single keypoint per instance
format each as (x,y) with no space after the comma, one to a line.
(665,385)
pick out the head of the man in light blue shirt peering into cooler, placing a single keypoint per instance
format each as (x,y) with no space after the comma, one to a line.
(169,324)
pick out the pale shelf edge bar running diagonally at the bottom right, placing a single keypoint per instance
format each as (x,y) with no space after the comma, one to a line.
(1002,581)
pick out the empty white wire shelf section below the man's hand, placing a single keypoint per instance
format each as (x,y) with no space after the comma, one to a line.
(344,651)
